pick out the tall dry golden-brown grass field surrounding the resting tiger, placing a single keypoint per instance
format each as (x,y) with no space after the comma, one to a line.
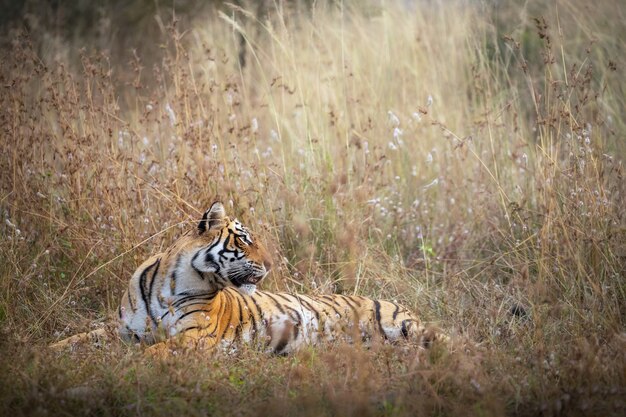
(463,159)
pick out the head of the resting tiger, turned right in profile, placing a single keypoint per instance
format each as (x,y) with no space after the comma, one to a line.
(229,251)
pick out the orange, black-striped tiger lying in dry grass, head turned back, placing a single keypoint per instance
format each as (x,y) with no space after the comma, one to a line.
(201,293)
